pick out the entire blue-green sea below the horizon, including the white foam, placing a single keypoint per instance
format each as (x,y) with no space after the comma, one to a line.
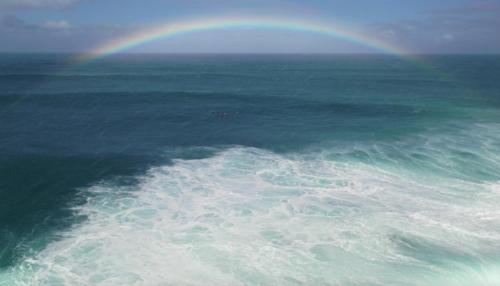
(348,170)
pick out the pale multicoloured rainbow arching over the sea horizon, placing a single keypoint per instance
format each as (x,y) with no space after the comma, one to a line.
(169,30)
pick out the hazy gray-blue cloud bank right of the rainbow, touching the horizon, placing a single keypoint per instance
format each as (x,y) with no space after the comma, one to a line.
(468,28)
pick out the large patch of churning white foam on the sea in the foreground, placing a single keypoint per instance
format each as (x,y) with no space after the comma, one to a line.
(251,217)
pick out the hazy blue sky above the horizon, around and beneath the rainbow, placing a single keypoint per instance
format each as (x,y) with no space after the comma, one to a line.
(422,27)
